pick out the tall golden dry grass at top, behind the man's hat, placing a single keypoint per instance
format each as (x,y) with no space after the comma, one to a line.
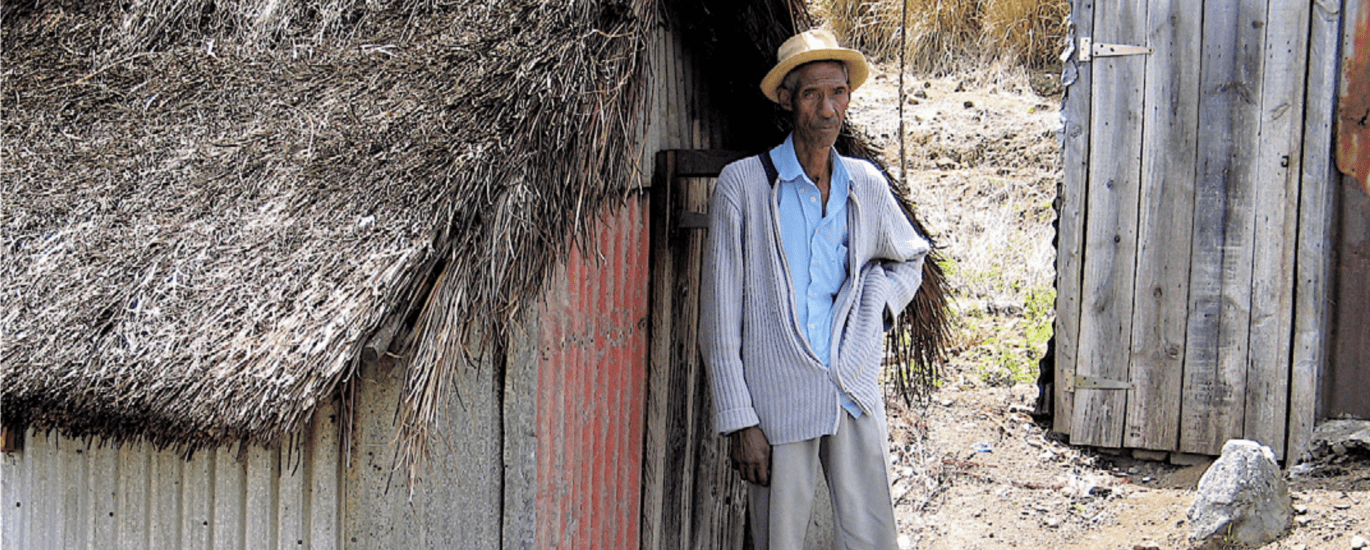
(950,35)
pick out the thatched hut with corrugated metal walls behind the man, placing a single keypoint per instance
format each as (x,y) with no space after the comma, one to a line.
(399,274)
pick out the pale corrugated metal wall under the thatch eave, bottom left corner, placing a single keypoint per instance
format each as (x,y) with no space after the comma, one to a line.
(72,494)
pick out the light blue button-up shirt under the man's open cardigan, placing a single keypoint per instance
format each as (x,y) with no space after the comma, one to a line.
(816,248)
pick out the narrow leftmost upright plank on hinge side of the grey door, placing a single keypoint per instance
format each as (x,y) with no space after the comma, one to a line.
(1071,217)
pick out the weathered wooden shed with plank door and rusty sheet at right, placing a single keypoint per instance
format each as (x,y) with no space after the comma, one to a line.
(1212,256)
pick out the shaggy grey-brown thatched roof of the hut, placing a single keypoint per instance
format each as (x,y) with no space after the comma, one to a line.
(210,208)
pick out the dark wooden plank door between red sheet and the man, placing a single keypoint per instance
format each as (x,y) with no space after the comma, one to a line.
(691,496)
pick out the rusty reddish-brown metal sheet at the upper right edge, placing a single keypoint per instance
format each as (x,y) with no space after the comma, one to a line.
(1354,105)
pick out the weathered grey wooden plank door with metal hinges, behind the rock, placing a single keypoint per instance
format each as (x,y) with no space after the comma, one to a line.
(1179,282)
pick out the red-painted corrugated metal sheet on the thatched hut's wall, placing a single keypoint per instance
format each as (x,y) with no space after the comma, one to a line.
(591,389)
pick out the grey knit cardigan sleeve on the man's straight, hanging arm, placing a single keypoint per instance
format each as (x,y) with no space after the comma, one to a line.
(721,309)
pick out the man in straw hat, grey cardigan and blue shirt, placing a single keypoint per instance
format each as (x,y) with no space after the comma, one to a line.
(809,261)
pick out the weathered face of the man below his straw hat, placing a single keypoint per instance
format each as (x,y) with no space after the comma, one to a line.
(819,104)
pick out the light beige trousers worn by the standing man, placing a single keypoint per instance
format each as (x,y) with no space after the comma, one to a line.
(856,463)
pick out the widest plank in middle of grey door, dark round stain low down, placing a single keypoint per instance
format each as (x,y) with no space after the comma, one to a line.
(1220,274)
